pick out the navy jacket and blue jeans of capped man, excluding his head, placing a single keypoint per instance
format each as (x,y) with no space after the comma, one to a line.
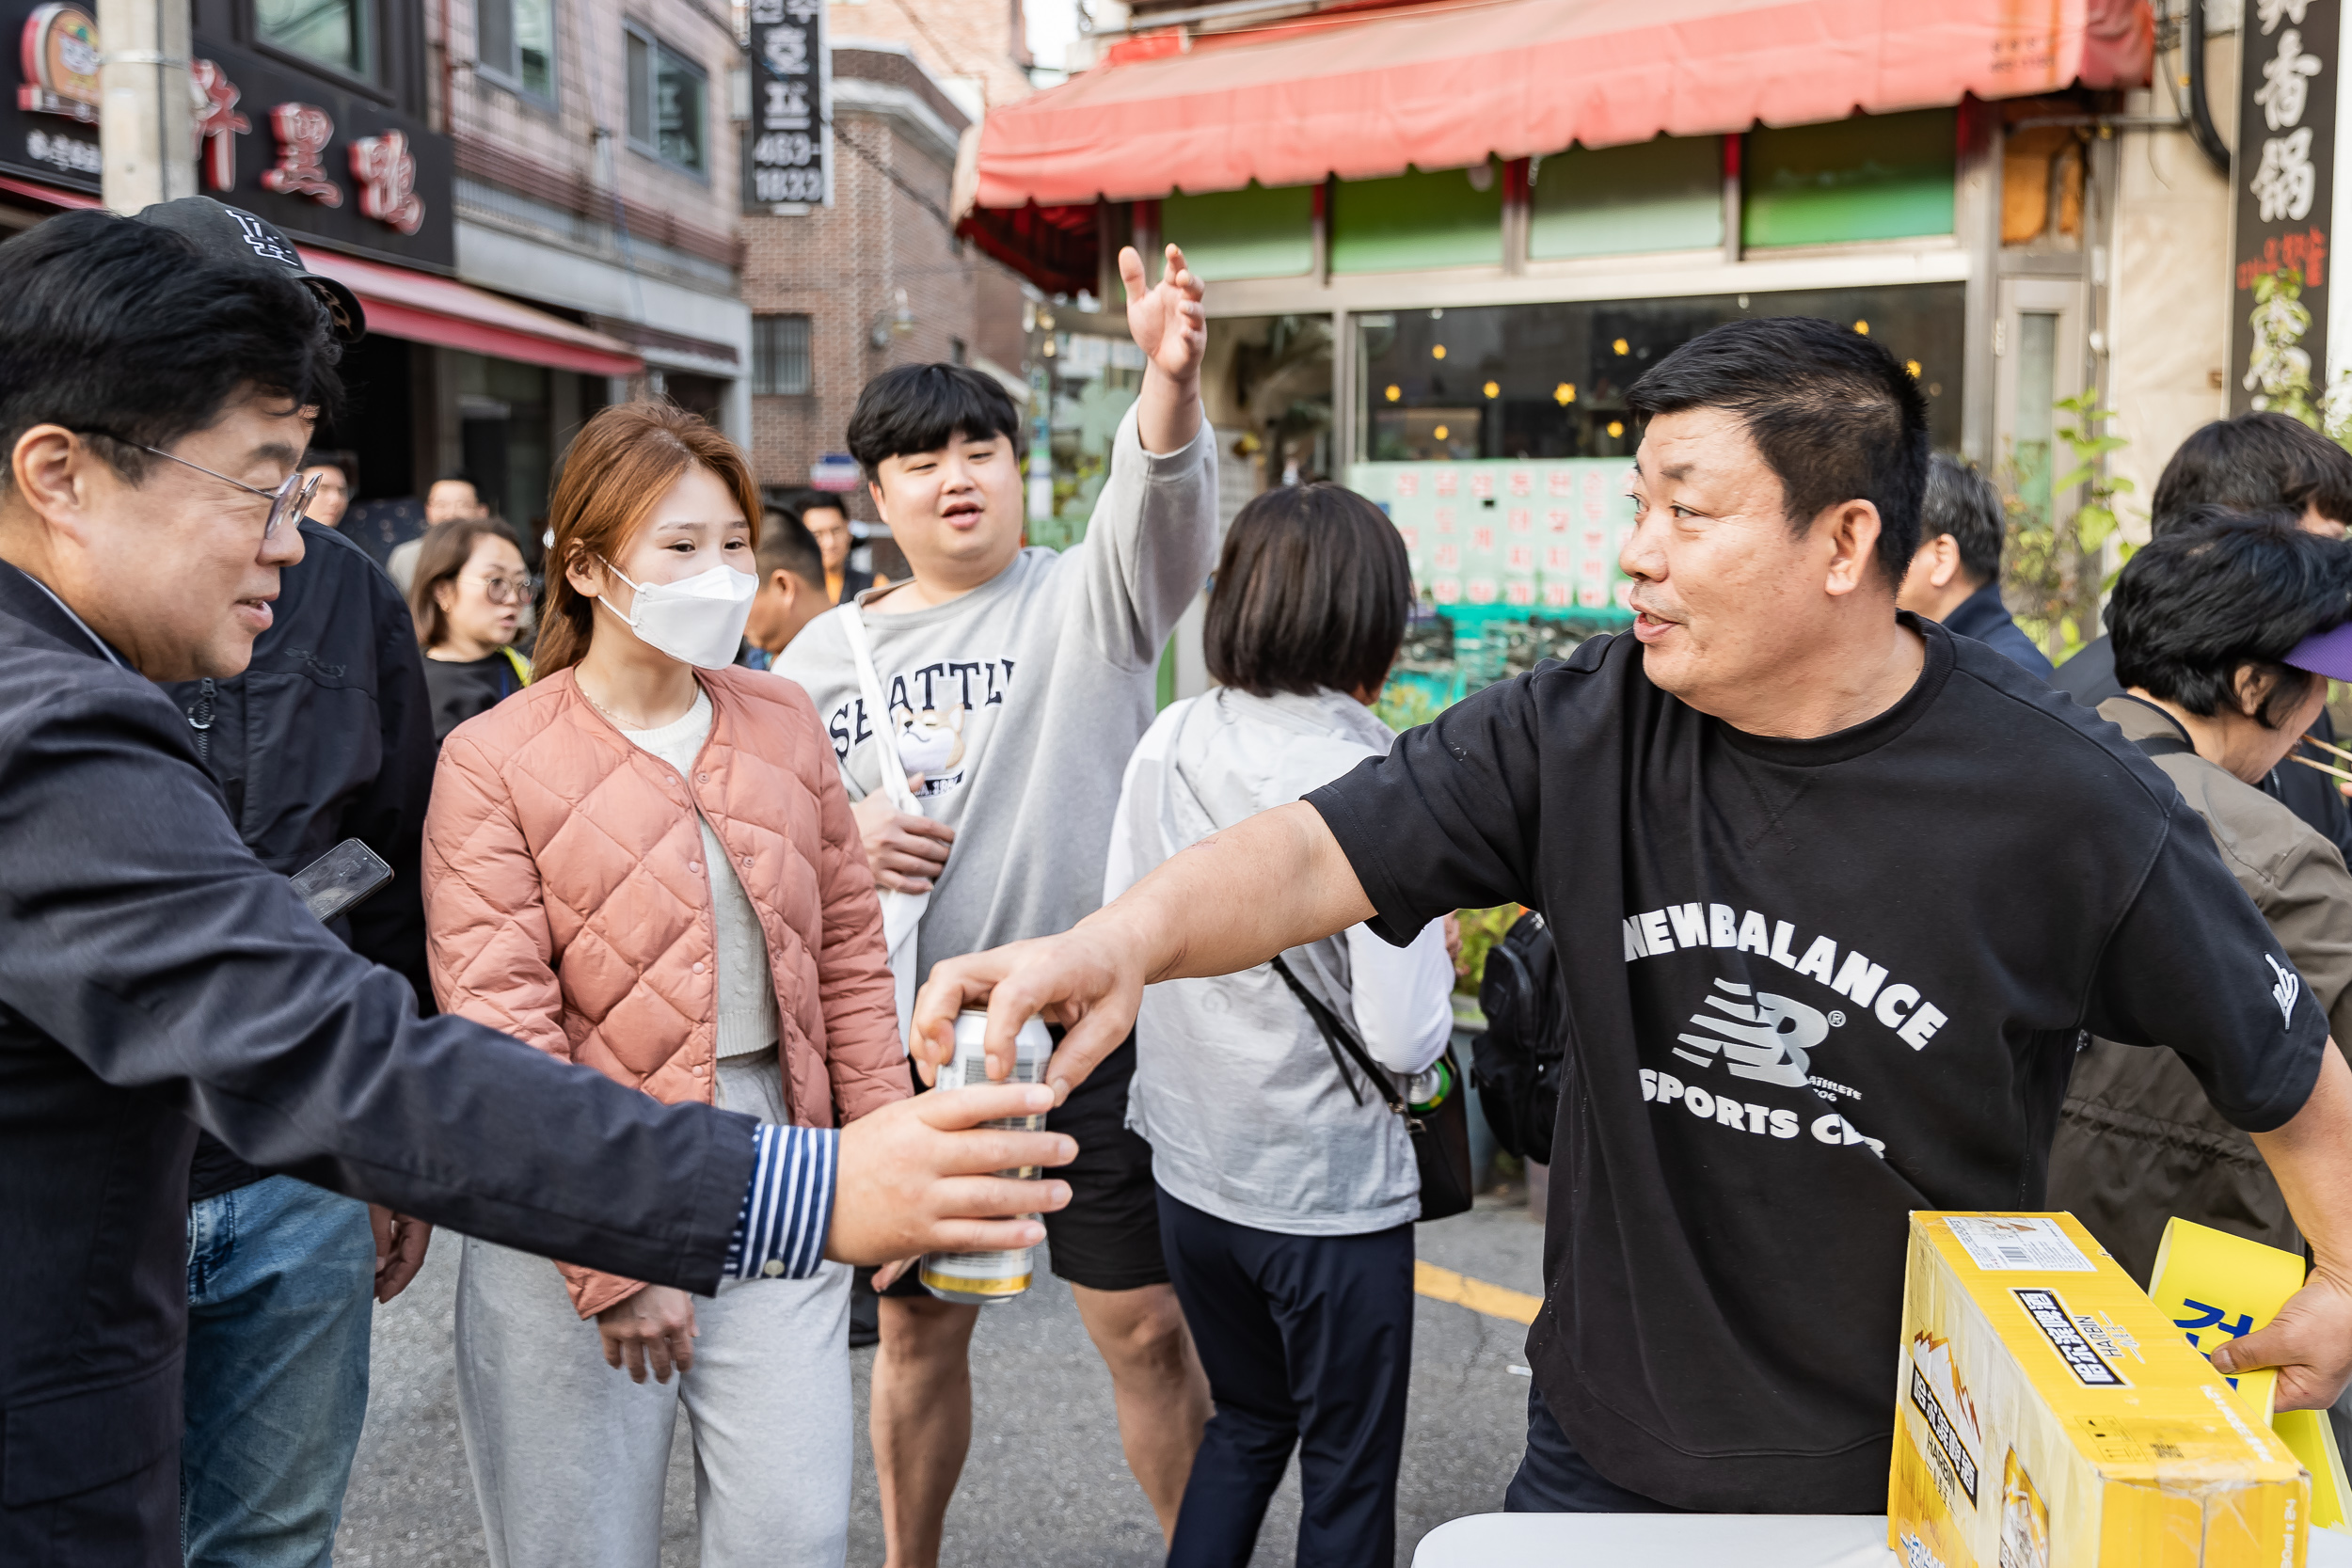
(326,737)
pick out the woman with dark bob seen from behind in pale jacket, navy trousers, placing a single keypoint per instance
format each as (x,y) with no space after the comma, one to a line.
(1288,1188)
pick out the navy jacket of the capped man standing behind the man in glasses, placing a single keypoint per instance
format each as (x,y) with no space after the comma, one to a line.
(326,737)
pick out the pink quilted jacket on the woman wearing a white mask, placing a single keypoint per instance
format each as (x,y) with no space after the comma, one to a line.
(568,904)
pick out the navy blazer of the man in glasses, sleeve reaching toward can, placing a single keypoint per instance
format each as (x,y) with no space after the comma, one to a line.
(156,977)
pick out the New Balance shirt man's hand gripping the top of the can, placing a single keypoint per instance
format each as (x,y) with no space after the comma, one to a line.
(1085,979)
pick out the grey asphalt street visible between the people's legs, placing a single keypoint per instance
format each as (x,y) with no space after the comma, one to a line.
(1045,1485)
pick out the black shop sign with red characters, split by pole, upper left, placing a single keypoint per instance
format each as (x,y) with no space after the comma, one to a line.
(286,145)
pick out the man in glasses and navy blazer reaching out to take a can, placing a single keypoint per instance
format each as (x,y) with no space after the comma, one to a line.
(156,396)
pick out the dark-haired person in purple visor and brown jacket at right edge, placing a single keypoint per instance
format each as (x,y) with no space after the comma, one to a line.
(2226,634)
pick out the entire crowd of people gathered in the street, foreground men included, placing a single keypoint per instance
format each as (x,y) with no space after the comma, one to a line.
(744,831)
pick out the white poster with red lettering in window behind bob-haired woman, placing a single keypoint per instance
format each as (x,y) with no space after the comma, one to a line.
(1523,540)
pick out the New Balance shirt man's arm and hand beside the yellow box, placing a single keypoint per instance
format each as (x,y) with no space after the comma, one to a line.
(2311,1341)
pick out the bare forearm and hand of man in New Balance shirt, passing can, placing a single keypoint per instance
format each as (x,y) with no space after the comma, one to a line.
(1231,902)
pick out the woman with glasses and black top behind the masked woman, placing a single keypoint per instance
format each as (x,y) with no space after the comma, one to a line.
(469,596)
